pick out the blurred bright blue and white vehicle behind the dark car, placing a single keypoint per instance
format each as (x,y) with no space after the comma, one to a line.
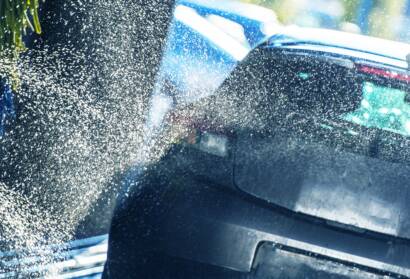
(206,40)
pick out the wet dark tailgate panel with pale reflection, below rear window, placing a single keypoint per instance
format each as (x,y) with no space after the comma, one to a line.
(314,179)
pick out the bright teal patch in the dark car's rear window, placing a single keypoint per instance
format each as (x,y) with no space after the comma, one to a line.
(382,107)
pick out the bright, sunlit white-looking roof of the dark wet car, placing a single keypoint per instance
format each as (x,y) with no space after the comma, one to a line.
(324,39)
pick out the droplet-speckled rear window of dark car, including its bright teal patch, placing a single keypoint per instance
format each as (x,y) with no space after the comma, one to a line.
(381,106)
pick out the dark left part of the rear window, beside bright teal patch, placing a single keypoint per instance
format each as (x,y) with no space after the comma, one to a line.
(313,87)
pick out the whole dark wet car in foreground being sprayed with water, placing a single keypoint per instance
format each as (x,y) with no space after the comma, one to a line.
(297,167)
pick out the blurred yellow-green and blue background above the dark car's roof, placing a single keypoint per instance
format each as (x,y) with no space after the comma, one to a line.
(389,19)
